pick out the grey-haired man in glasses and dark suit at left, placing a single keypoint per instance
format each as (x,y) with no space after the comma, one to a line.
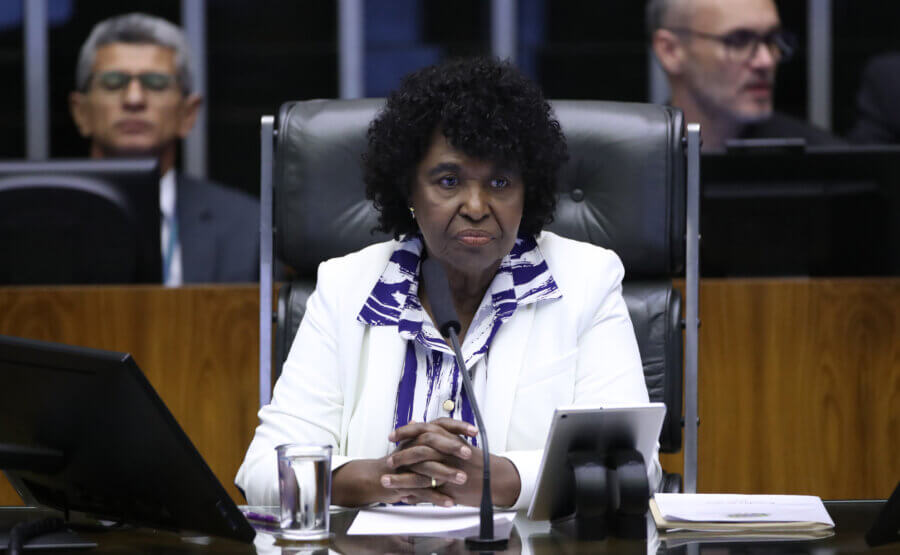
(135,97)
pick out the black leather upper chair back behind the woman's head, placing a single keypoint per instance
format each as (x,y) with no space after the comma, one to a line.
(623,187)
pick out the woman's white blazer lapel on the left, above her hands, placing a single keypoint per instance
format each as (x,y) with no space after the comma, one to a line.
(374,416)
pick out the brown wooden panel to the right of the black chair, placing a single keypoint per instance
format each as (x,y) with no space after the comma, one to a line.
(800,387)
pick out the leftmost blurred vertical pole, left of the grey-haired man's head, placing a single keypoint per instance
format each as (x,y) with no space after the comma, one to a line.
(37,117)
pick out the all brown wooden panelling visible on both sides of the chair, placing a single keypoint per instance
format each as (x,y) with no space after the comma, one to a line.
(799,379)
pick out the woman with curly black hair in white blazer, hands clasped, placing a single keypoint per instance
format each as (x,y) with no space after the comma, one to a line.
(462,166)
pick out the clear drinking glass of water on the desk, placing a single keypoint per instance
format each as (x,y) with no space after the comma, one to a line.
(304,483)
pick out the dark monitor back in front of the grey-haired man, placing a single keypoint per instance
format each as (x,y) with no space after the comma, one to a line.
(79,222)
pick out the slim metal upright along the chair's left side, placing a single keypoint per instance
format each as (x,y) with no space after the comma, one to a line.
(266,144)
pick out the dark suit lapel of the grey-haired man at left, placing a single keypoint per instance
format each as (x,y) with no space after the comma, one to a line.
(195,232)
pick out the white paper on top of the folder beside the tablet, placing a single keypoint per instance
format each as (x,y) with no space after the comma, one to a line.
(717,507)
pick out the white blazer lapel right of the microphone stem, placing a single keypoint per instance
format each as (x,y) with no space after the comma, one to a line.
(507,353)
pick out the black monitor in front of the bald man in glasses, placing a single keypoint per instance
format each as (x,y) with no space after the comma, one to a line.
(779,208)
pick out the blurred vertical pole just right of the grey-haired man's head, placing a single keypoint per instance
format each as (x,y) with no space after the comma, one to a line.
(194,149)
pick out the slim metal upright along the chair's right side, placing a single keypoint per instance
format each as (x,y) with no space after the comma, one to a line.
(692,308)
